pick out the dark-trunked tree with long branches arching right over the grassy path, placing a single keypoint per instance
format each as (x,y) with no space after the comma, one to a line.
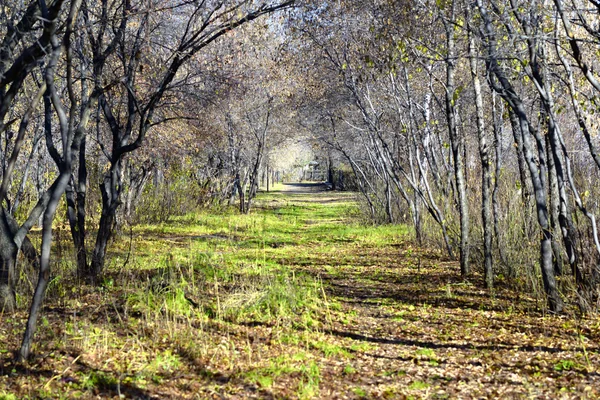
(198,26)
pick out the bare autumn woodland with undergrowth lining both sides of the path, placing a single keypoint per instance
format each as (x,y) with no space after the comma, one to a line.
(471,123)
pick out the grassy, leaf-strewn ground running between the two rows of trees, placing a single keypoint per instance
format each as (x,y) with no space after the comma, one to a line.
(296,300)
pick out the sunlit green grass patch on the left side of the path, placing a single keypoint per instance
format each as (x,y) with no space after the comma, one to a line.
(197,273)
